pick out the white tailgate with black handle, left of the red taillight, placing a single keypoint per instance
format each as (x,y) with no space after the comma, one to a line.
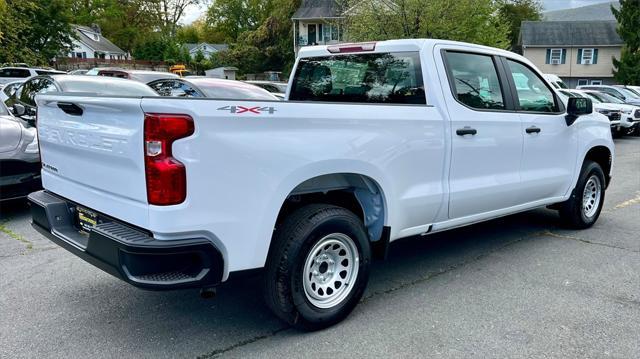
(92,153)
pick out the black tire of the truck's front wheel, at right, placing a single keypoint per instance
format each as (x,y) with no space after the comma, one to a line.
(572,212)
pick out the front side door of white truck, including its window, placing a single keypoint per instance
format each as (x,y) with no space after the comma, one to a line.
(550,146)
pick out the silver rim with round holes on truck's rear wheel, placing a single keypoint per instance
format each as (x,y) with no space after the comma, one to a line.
(330,270)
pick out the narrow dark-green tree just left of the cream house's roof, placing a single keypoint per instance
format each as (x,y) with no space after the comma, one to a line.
(514,12)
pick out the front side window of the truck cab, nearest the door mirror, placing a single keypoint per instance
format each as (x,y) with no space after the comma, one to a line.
(533,93)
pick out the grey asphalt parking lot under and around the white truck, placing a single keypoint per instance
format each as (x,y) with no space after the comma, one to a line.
(519,286)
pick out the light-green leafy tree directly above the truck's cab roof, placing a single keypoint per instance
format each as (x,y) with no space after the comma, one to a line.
(474,21)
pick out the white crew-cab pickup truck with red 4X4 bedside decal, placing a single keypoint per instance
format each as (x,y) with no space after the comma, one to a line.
(375,142)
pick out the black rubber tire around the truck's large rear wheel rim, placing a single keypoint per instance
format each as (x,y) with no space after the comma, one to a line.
(290,250)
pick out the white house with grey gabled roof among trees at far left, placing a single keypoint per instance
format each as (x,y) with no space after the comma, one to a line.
(90,44)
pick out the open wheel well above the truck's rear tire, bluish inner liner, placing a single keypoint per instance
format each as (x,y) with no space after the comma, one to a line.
(357,193)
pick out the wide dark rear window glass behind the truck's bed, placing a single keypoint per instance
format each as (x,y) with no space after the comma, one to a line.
(364,78)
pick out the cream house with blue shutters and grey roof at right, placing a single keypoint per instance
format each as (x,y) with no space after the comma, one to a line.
(580,52)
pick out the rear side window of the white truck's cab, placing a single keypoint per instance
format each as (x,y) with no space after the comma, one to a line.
(474,80)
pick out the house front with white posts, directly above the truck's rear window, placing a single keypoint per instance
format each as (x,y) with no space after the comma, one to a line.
(317,22)
